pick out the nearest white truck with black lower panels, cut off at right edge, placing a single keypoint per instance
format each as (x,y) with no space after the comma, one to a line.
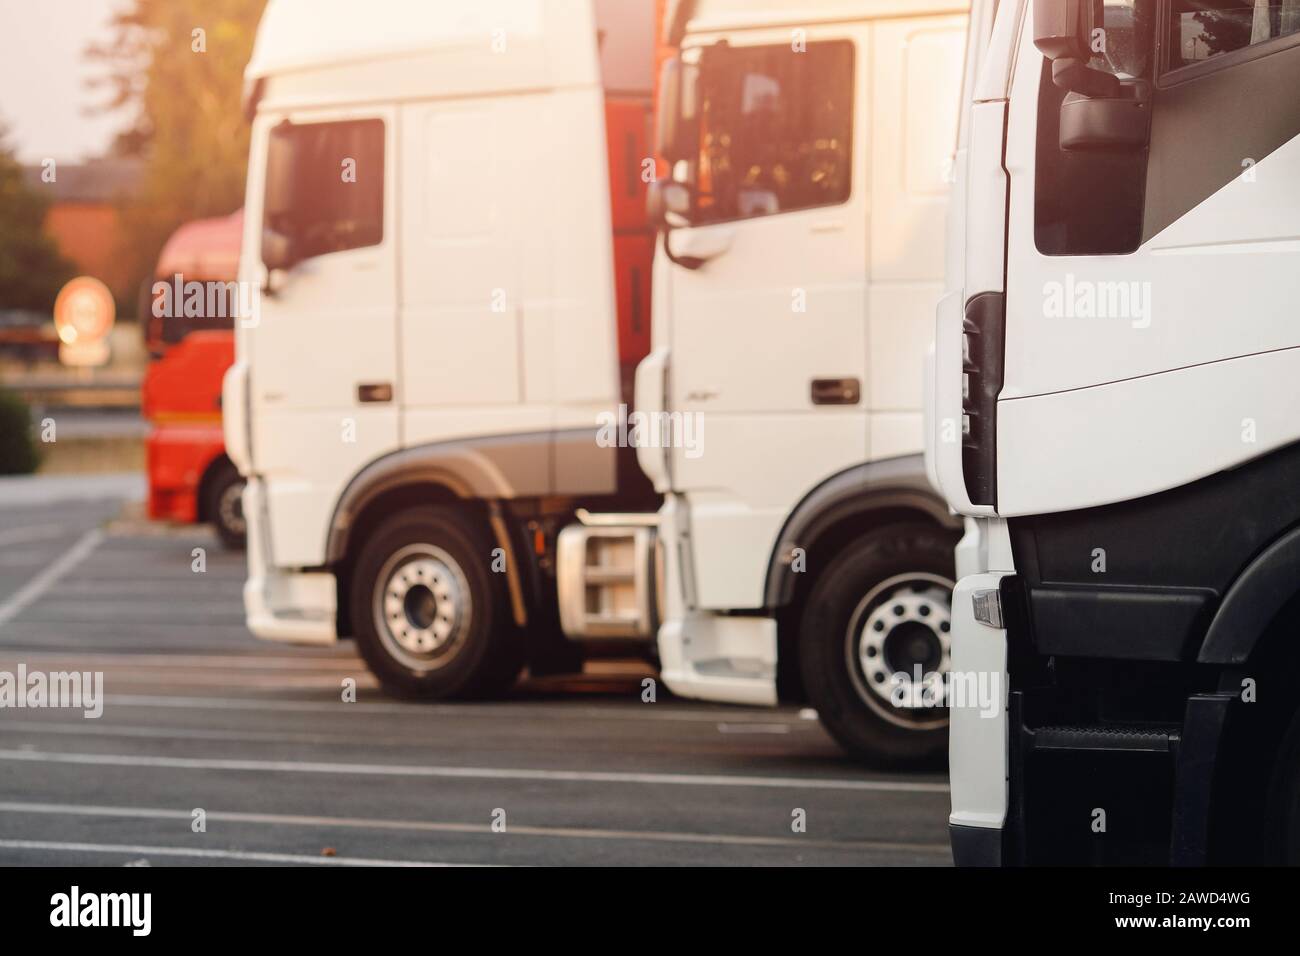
(1116,383)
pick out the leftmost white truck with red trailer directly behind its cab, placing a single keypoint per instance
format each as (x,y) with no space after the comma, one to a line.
(447,222)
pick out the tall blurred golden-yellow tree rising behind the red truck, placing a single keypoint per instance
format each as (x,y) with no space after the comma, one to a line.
(179,67)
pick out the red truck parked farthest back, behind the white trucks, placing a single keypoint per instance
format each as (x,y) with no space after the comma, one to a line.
(190,477)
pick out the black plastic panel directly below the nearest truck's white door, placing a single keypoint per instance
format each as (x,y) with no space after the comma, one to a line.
(1207,565)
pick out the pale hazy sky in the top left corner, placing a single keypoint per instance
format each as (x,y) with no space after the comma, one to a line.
(44,73)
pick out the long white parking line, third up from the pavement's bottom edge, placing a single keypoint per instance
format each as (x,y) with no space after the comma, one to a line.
(294,767)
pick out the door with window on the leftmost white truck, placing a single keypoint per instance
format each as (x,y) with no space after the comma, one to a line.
(323,371)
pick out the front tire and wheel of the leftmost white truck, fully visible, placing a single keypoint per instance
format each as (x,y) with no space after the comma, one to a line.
(430,618)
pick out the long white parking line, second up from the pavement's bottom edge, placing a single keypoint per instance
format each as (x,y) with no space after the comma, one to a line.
(447,828)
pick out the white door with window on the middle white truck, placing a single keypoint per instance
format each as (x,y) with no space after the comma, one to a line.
(769,334)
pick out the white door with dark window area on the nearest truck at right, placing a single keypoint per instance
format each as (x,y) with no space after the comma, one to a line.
(1152,259)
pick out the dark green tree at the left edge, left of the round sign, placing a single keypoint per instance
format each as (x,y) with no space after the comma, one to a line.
(32,269)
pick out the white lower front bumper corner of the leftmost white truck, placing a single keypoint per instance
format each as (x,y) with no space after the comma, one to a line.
(284,605)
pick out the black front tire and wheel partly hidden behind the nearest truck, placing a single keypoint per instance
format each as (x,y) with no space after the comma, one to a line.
(883,604)
